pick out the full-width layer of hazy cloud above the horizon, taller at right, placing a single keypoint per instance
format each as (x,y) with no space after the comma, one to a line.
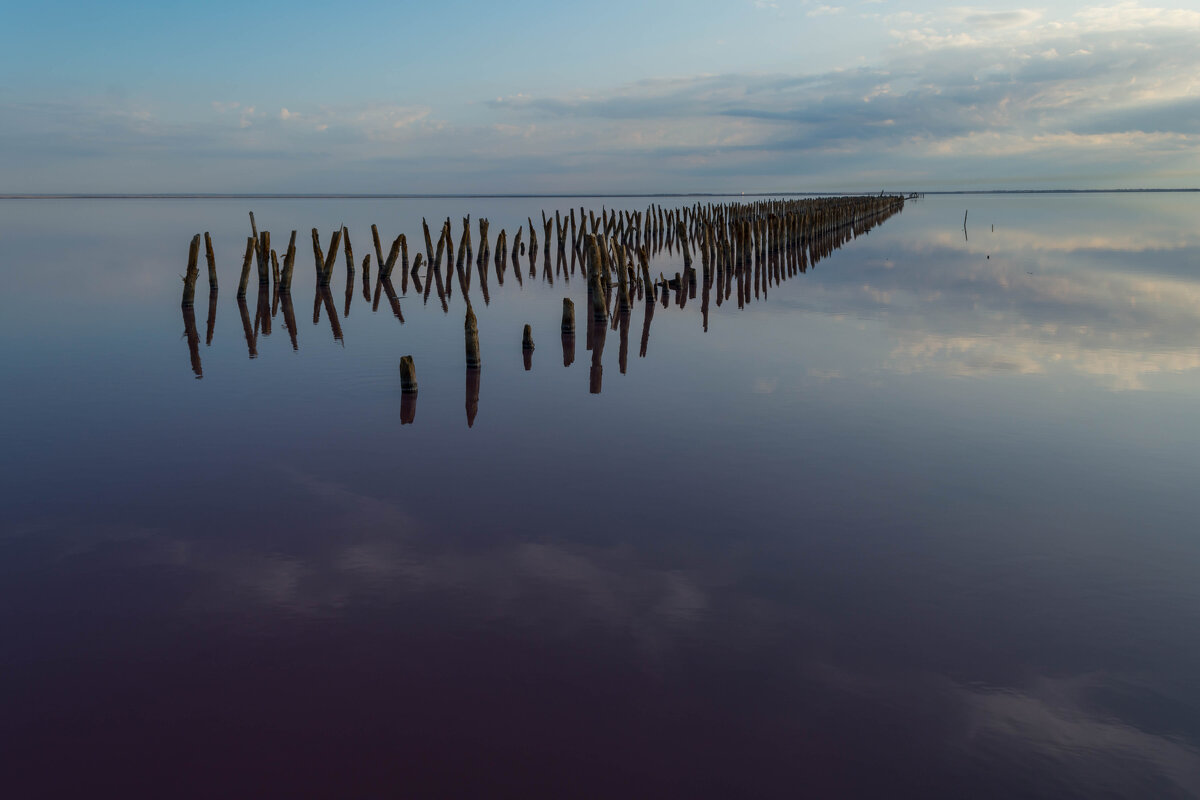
(965,98)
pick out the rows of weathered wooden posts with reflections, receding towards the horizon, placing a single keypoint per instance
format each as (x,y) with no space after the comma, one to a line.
(743,248)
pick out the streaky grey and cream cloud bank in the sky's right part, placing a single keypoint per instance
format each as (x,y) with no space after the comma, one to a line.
(994,87)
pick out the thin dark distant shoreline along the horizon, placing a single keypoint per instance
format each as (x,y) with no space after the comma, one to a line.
(253,196)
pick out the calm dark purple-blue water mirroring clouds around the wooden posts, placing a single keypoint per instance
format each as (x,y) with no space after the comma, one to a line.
(921,522)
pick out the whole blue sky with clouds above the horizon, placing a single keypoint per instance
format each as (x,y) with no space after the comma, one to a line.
(643,98)
